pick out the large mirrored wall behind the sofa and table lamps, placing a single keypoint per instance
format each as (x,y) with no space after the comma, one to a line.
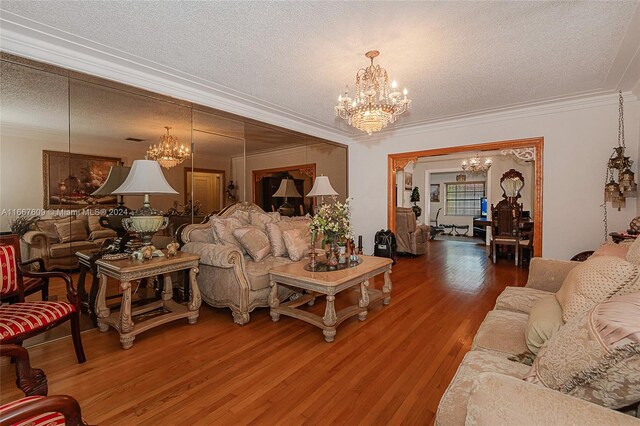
(61,131)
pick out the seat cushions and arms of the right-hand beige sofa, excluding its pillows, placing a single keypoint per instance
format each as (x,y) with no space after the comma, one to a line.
(489,389)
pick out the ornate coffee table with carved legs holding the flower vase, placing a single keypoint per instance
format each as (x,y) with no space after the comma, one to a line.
(329,284)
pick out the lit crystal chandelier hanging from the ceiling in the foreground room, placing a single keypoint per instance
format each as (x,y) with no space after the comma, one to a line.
(375,104)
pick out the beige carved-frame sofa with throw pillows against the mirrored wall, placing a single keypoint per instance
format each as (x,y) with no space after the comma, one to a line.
(229,276)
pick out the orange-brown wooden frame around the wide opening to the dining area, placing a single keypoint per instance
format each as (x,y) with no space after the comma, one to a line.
(535,146)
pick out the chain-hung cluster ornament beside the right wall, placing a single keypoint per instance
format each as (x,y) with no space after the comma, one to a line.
(616,190)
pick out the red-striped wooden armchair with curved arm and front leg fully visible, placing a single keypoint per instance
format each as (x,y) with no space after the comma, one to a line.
(19,321)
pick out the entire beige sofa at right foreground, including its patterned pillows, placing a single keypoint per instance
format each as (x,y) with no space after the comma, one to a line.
(494,385)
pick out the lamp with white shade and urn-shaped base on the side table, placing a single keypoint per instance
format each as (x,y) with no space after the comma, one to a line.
(145,178)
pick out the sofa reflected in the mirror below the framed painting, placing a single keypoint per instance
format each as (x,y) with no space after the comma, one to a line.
(57,239)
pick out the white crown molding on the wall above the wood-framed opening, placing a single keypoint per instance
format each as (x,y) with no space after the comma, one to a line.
(501,115)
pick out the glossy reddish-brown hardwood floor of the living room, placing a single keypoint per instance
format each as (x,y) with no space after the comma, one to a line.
(391,368)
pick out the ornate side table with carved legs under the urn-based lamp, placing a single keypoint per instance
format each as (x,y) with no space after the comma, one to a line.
(130,272)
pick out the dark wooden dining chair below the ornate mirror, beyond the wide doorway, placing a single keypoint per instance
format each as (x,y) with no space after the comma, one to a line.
(505,226)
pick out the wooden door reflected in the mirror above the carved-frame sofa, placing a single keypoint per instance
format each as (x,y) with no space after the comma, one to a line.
(208,188)
